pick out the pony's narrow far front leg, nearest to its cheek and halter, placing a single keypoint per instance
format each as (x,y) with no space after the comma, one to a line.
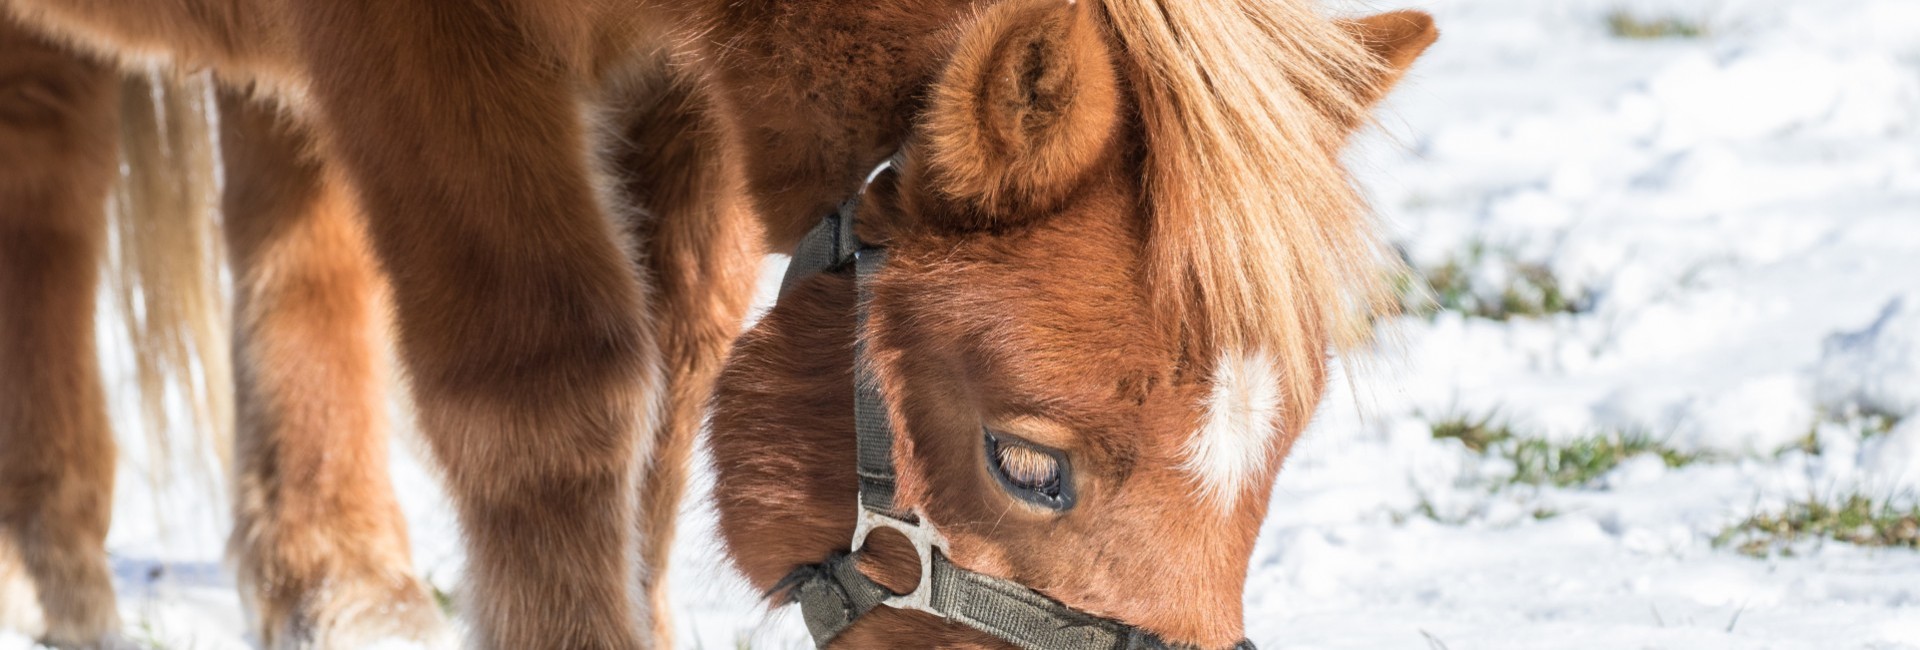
(702,254)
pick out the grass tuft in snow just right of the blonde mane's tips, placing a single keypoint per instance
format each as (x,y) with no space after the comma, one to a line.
(1529,290)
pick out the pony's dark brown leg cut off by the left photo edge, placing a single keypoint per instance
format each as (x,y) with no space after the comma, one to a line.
(57,452)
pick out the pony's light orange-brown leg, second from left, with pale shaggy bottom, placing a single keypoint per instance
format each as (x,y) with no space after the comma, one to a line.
(320,542)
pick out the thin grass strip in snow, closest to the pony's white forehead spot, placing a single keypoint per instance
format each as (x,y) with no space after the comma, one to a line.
(1556,463)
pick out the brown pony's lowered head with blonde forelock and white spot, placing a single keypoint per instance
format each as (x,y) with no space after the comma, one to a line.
(1120,254)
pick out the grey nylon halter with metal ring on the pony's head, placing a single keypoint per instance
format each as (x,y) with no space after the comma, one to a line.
(834,593)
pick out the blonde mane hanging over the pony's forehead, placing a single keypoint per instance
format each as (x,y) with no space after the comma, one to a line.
(1259,244)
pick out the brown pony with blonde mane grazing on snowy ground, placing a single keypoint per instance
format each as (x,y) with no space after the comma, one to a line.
(1120,235)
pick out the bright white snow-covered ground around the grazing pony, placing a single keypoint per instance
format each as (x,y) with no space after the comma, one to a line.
(1739,221)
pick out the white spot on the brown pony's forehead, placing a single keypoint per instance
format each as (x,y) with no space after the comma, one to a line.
(1241,427)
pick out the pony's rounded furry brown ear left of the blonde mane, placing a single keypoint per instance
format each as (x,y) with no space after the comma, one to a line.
(1026,106)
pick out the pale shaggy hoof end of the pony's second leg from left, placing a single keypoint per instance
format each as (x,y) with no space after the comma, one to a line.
(396,615)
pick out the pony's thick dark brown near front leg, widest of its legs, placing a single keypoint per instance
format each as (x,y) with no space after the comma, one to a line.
(519,306)
